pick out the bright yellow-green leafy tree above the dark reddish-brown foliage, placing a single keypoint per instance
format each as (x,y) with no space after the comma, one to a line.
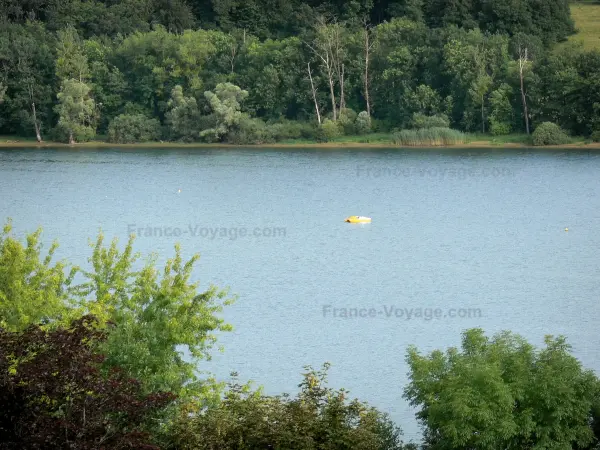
(140,304)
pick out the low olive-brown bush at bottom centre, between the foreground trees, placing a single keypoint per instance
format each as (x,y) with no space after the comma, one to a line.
(318,417)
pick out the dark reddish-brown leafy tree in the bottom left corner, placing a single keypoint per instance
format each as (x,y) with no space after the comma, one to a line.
(54,395)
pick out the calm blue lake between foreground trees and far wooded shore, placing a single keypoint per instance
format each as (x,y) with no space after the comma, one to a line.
(478,235)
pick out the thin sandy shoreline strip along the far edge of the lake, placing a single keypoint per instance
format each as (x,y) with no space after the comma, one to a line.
(323,145)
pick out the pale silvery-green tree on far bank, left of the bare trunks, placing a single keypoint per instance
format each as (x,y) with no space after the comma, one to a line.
(225,105)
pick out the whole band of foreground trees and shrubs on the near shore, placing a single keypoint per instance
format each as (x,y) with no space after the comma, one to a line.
(90,358)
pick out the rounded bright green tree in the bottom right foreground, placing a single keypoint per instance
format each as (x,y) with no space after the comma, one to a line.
(502,393)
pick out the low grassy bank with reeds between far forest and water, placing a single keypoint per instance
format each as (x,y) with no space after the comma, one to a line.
(375,140)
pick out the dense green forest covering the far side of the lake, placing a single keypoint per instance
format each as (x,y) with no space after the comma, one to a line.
(263,70)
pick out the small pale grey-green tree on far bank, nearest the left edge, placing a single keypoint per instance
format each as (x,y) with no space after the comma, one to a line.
(76,111)
